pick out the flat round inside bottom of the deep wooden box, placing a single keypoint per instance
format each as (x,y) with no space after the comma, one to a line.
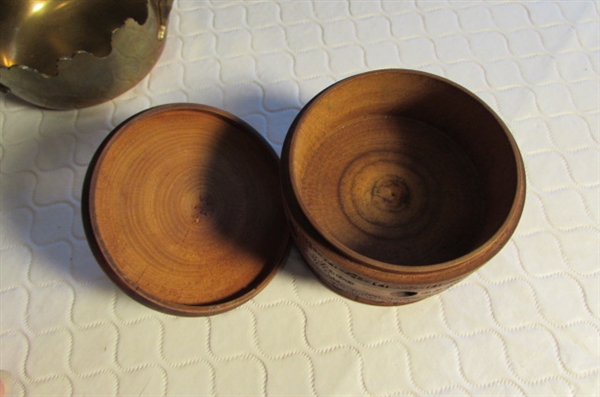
(401,191)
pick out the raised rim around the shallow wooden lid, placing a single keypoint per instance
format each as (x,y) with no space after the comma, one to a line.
(101,254)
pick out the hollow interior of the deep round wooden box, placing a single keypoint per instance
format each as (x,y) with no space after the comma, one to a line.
(403,168)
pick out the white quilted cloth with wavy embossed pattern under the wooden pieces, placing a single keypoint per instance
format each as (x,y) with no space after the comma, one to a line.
(527,323)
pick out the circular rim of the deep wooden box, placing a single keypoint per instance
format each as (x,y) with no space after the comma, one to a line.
(492,245)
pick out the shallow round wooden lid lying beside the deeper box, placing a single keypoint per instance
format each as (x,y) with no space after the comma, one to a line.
(182,209)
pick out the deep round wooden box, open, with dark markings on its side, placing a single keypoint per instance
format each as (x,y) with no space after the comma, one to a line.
(399,184)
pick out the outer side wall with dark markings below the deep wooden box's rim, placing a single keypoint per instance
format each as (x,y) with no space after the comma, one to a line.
(360,288)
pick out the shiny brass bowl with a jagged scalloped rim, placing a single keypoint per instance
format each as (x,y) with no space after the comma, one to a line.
(65,54)
